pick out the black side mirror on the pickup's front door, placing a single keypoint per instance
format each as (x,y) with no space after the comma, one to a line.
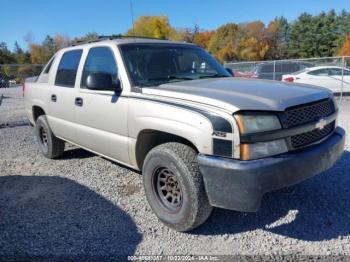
(102,82)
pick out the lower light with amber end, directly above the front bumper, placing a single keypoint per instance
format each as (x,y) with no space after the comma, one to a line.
(263,149)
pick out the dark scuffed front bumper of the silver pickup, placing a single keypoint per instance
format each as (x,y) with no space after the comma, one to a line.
(240,185)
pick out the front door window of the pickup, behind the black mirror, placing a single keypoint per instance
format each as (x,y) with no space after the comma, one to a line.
(100,60)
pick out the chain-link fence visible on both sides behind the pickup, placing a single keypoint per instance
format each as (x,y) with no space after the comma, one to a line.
(329,72)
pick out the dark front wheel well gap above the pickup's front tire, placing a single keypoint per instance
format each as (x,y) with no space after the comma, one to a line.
(148,139)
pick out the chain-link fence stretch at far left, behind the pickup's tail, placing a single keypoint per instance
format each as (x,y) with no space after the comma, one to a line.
(12,75)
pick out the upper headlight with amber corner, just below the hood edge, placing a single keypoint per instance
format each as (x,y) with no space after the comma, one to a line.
(252,123)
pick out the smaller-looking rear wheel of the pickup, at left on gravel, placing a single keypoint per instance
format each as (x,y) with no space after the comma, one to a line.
(50,146)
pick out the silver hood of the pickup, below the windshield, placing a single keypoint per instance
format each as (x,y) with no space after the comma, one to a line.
(233,94)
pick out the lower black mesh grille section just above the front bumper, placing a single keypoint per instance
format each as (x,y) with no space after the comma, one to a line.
(313,136)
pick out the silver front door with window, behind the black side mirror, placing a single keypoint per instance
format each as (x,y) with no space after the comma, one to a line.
(102,115)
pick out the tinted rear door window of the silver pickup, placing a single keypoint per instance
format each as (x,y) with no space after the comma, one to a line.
(67,69)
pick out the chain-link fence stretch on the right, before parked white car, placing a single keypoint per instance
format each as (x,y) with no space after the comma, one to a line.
(330,72)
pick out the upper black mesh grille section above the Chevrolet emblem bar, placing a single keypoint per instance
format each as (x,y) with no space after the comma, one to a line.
(307,113)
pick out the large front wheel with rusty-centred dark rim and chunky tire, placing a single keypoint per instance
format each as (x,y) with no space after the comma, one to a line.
(174,186)
